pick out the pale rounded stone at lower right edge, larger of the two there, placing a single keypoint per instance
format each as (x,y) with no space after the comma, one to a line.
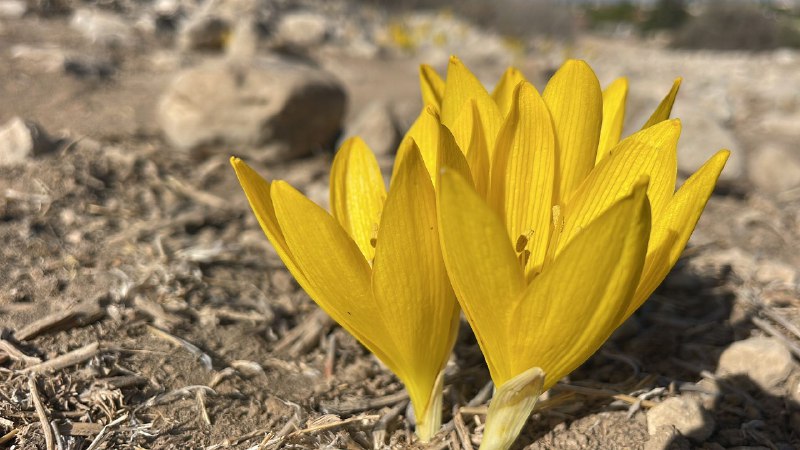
(764,360)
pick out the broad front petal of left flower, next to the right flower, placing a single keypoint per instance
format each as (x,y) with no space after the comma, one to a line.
(410,283)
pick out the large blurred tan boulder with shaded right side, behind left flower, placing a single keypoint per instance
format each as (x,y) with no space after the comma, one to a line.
(268,101)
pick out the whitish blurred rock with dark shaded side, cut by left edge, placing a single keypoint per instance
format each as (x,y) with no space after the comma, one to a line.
(20,140)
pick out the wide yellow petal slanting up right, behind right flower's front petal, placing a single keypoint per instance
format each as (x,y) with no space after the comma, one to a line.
(650,152)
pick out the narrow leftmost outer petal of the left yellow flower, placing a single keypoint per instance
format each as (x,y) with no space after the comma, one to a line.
(258,195)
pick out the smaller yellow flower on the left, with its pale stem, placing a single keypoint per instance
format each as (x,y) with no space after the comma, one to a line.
(375,266)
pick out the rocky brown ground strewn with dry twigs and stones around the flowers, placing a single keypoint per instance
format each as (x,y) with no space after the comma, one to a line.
(142,307)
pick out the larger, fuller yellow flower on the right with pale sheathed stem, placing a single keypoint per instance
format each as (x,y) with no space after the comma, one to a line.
(559,231)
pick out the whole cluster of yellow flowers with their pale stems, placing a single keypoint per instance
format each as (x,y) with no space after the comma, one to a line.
(525,210)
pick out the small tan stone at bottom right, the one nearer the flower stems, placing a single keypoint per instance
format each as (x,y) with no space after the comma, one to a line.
(685,414)
